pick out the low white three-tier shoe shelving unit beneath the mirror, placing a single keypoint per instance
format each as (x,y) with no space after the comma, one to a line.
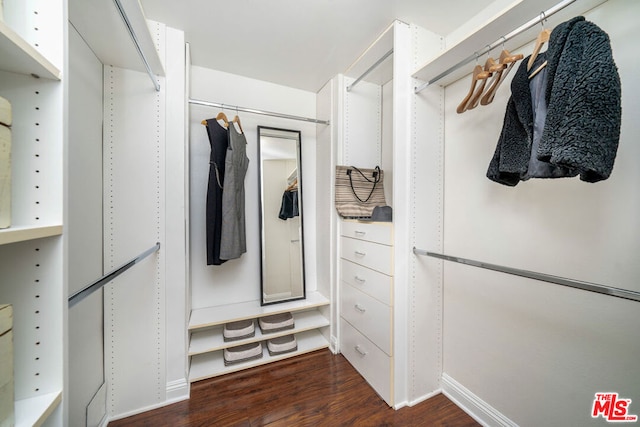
(206,344)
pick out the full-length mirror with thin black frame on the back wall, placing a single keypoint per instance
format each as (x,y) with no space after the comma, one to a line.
(281,215)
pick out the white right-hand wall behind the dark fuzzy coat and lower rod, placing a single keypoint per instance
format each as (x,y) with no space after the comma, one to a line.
(536,352)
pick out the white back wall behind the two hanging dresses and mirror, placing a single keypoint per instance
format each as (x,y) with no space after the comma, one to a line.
(239,280)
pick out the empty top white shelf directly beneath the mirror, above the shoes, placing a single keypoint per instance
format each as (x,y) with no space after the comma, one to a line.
(218,315)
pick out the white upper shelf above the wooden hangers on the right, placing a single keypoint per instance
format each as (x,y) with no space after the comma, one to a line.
(491,30)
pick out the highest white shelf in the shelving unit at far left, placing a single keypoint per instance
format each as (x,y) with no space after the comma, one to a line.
(18,56)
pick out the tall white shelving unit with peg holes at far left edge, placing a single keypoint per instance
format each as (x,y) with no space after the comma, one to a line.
(31,251)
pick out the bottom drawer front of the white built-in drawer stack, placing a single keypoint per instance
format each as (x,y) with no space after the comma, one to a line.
(369,360)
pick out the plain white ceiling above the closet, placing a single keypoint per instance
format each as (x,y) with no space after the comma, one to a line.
(300,44)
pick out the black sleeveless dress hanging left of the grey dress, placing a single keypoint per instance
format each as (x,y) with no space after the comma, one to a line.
(219,141)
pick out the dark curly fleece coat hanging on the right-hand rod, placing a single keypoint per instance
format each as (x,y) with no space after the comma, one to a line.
(583,98)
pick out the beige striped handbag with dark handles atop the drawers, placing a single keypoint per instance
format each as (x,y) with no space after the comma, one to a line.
(358,191)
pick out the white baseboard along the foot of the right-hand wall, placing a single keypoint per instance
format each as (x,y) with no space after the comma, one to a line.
(477,408)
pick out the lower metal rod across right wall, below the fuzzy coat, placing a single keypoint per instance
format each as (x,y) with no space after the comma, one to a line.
(585,286)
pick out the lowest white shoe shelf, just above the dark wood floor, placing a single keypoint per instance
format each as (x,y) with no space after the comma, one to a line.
(210,365)
